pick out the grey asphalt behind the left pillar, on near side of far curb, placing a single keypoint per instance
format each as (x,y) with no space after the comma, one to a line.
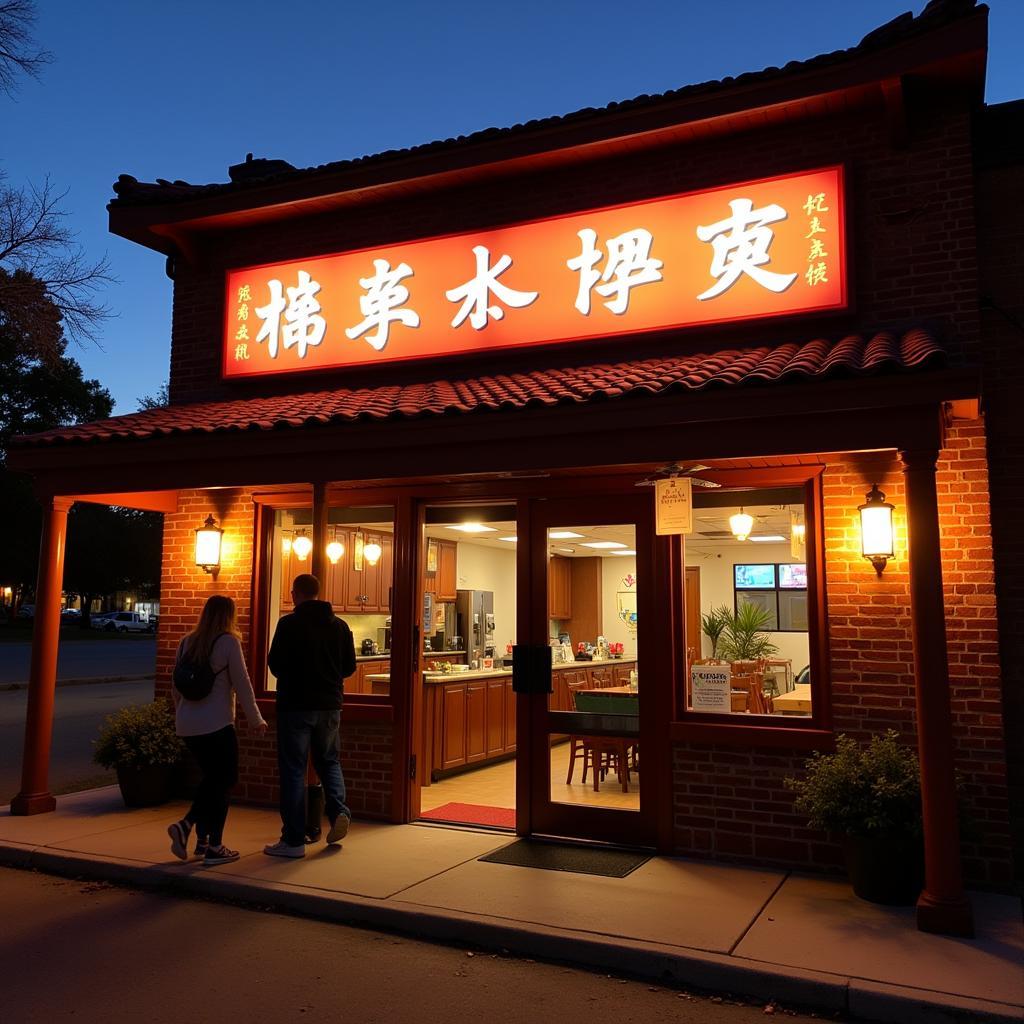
(77,716)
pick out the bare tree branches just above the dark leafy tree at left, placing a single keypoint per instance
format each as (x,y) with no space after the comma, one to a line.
(35,237)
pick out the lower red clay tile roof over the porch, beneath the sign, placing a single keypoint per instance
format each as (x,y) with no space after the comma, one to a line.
(854,356)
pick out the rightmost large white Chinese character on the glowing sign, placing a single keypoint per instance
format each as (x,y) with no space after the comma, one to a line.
(741,245)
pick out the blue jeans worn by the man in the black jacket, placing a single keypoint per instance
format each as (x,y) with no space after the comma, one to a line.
(303,735)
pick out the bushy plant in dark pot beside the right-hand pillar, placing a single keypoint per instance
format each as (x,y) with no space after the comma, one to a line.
(871,797)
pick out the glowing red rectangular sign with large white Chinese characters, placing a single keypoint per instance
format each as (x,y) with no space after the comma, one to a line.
(758,249)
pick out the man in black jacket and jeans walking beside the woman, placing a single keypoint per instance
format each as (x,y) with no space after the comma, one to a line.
(311,655)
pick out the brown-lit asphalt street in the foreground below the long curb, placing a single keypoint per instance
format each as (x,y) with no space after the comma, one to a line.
(87,952)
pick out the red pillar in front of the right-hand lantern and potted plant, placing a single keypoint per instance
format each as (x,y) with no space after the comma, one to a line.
(943,907)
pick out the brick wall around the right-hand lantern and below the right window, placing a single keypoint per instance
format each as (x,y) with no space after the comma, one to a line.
(732,804)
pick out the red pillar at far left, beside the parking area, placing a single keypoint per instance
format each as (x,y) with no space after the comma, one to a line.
(35,796)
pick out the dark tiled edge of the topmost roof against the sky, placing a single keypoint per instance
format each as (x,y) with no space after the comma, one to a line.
(131,192)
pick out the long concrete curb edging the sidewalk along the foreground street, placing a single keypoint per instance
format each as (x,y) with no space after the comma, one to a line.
(653,962)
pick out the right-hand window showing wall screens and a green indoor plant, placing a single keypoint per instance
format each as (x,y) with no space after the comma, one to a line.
(751,639)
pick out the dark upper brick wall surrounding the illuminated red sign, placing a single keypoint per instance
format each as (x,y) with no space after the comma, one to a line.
(912,234)
